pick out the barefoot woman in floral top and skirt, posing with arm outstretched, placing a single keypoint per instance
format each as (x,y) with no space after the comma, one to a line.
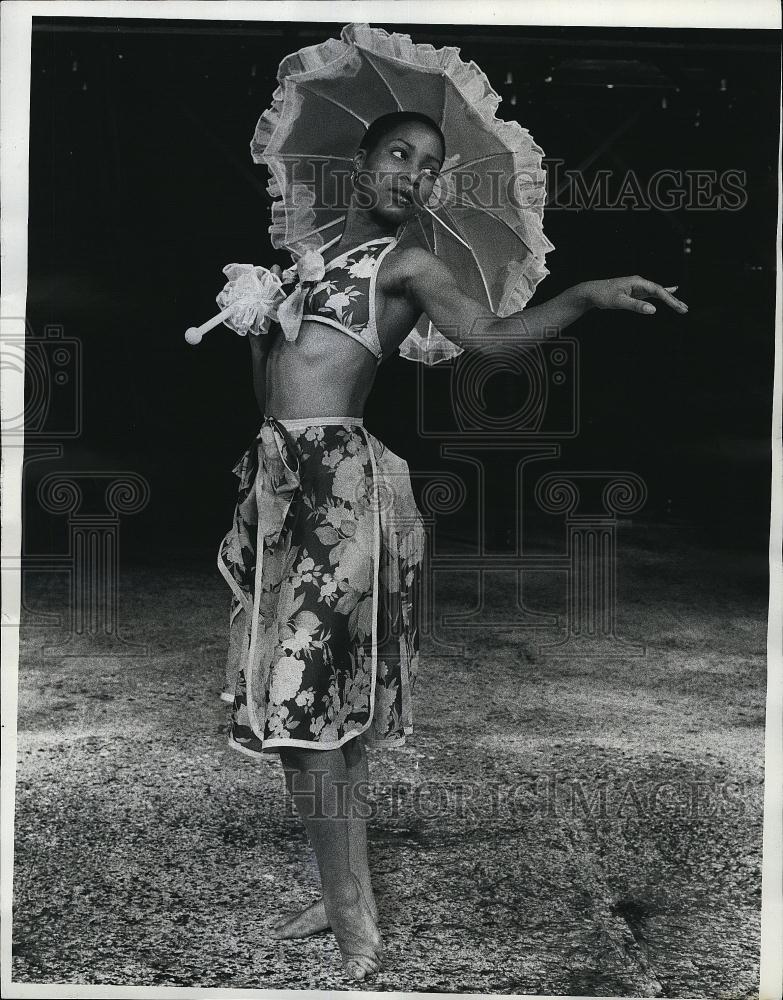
(313,388)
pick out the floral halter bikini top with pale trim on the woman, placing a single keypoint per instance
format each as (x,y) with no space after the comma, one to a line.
(345,296)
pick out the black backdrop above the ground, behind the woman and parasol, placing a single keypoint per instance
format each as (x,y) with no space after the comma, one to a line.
(142,188)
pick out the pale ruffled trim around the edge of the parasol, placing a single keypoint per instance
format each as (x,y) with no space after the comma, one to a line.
(293,217)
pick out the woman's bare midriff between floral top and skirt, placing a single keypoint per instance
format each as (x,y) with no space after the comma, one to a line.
(323,373)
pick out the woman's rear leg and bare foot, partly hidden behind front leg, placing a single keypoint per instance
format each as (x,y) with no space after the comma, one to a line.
(313,918)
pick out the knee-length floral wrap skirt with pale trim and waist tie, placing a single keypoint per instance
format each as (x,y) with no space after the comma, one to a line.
(324,564)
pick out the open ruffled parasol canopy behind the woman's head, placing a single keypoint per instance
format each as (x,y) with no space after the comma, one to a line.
(484,218)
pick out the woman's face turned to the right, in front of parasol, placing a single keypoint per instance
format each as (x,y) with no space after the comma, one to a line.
(397,176)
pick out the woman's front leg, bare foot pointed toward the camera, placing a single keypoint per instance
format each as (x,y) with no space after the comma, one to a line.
(316,781)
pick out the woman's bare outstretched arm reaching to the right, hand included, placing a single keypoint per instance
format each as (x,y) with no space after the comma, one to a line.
(433,289)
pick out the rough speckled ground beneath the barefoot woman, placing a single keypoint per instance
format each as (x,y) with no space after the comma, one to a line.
(583,826)
